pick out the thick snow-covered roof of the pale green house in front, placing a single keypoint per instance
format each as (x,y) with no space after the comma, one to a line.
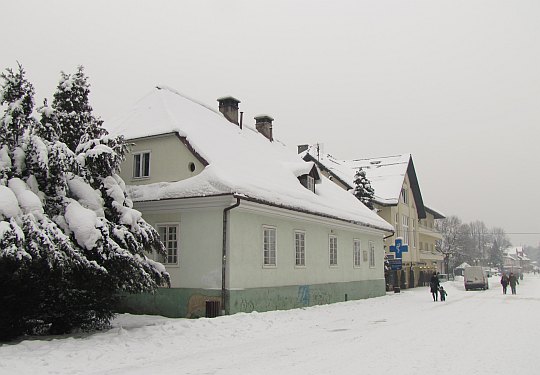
(240,161)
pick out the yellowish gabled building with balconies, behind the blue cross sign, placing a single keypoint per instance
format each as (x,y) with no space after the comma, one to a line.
(398,200)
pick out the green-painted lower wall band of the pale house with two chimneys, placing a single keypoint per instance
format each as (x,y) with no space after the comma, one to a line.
(191,303)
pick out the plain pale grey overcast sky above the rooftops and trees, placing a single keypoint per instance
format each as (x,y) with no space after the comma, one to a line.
(454,83)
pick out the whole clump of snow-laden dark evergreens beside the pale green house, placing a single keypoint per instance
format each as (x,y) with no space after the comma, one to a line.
(70,241)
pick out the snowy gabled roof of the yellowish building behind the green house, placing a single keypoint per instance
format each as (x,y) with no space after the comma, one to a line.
(386,174)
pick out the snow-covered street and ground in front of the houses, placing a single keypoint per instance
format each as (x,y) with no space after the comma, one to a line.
(475,332)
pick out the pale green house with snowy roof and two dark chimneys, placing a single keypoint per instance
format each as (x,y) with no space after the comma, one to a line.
(246,223)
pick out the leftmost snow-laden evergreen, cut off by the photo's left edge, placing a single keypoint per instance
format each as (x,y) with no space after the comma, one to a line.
(35,256)
